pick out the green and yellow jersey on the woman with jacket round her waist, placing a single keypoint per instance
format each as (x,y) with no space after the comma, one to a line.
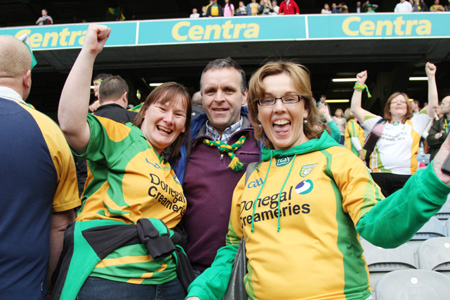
(128,181)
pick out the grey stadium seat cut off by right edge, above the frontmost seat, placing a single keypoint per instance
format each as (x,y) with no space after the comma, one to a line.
(434,255)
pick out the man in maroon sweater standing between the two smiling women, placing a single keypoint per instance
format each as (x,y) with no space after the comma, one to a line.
(207,174)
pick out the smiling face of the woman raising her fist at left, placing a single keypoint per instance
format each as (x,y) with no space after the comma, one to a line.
(163,123)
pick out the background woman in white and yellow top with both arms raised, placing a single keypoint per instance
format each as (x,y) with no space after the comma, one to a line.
(393,159)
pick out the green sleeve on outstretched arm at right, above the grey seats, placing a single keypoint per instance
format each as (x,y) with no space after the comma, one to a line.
(394,220)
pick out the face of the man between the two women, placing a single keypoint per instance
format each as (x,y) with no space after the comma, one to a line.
(222,97)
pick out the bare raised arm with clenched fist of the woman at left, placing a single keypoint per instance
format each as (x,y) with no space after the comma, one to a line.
(74,102)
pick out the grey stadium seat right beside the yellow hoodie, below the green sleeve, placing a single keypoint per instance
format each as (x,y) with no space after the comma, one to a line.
(381,261)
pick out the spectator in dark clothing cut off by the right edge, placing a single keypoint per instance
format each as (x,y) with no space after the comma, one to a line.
(440,128)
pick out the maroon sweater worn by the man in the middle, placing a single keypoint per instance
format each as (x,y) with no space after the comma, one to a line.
(208,187)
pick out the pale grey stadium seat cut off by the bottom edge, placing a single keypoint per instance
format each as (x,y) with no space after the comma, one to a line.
(413,284)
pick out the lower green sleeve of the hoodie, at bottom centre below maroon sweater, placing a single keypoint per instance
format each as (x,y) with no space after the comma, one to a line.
(213,282)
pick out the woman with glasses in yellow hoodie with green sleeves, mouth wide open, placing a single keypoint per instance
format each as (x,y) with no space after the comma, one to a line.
(302,209)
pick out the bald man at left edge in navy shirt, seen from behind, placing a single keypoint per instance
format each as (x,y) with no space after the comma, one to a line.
(38,186)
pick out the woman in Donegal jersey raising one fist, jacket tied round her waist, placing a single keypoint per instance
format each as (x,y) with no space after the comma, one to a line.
(129,183)
